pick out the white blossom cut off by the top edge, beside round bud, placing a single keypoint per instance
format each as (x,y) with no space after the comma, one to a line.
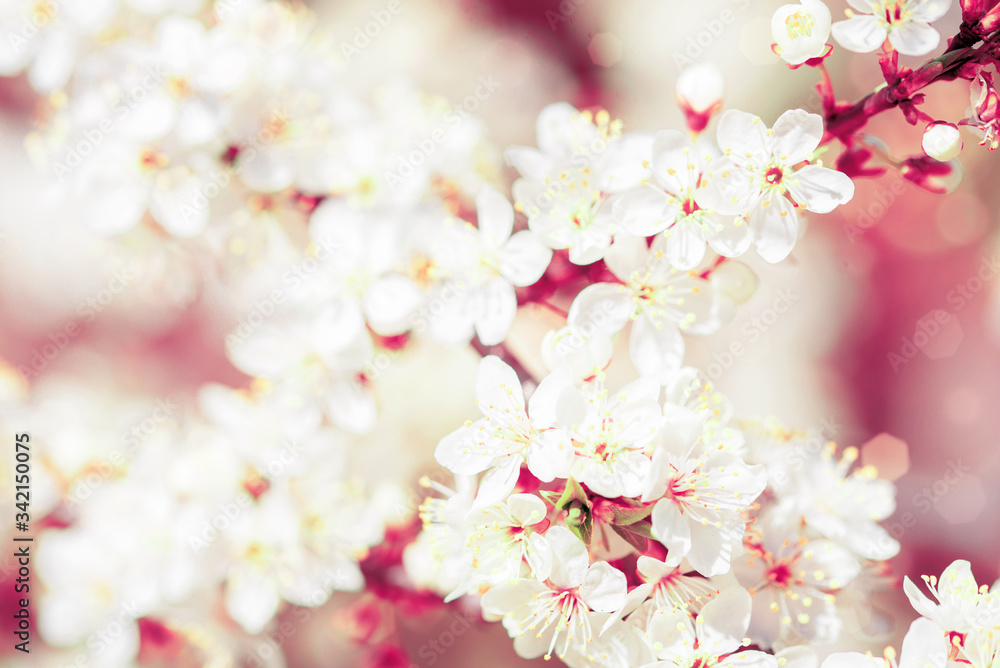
(905,23)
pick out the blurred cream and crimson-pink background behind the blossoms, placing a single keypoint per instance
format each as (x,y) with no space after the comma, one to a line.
(890,339)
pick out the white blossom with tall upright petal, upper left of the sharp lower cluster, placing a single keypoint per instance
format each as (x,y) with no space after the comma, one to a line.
(506,437)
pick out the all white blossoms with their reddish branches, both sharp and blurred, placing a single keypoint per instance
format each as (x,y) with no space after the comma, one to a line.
(635,525)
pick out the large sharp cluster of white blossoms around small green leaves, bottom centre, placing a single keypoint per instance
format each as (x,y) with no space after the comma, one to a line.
(630,524)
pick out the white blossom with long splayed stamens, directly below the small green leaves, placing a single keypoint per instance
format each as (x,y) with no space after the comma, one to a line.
(550,617)
